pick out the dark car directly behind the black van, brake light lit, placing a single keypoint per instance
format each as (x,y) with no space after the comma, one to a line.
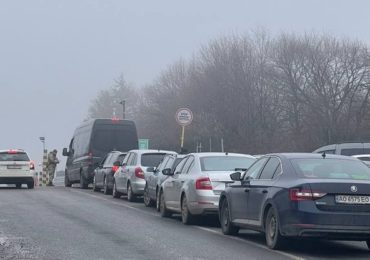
(103,174)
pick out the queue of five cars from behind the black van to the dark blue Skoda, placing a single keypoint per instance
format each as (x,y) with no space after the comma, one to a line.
(282,195)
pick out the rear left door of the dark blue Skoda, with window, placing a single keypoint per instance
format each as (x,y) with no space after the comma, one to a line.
(259,189)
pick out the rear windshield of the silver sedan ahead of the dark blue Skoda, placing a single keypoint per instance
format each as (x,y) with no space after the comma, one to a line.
(225,163)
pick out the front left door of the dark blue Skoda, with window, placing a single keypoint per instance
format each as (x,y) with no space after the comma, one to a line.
(239,192)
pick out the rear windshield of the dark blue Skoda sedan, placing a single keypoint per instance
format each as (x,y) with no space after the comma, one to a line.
(331,169)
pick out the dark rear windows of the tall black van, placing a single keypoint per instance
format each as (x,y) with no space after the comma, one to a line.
(119,138)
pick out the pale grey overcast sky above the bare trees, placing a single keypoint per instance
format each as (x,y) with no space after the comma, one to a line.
(56,55)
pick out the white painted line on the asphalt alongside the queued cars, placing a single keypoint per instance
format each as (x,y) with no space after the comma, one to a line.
(123,204)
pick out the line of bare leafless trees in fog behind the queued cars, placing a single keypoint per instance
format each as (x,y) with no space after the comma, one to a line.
(257,92)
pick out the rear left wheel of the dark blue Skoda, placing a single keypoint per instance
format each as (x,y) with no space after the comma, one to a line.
(272,230)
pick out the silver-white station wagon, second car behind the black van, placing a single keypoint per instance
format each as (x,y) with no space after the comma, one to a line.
(130,177)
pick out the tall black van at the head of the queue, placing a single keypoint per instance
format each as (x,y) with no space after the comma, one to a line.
(91,141)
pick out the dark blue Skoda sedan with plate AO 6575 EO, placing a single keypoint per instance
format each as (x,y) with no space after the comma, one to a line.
(299,195)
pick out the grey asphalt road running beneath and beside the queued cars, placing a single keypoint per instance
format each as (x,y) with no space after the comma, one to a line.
(69,223)
